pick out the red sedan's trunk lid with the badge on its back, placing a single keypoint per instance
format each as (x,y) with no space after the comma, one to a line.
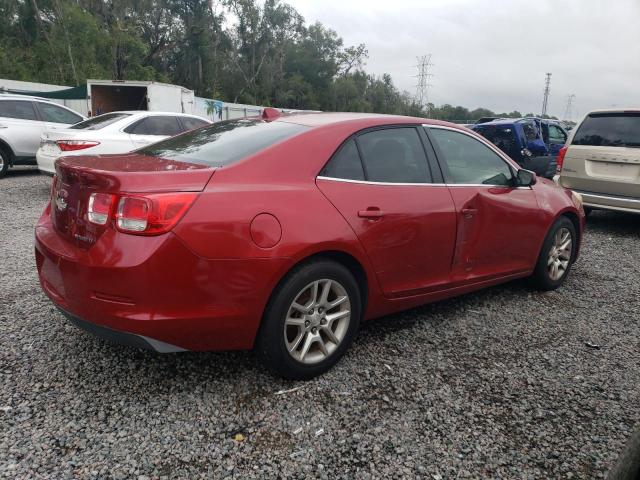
(77,177)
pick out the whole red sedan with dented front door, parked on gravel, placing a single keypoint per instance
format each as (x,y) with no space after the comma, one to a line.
(283,233)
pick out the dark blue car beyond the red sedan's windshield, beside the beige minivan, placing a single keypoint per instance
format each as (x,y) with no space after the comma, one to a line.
(533,143)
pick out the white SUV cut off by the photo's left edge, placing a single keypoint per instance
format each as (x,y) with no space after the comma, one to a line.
(22,121)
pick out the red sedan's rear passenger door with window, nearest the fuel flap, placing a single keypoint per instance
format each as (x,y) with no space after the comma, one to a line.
(382,184)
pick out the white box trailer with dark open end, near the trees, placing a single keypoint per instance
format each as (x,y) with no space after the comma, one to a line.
(105,96)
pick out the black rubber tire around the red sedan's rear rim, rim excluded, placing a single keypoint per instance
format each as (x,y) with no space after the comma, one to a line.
(270,343)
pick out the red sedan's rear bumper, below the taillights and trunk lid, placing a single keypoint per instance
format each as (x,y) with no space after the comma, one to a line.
(153,292)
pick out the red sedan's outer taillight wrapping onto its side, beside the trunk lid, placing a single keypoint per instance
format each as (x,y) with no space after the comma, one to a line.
(152,214)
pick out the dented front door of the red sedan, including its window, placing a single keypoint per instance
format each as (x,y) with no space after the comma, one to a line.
(498,224)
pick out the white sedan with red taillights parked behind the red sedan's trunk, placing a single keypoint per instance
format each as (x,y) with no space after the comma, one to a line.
(115,132)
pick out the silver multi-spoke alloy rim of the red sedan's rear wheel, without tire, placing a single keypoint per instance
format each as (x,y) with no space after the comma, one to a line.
(317,321)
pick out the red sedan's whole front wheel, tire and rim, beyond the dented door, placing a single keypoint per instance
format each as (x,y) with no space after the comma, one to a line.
(556,256)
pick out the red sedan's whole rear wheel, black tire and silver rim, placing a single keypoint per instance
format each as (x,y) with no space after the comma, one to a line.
(310,320)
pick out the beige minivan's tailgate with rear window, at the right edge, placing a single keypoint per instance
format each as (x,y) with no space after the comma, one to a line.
(604,155)
